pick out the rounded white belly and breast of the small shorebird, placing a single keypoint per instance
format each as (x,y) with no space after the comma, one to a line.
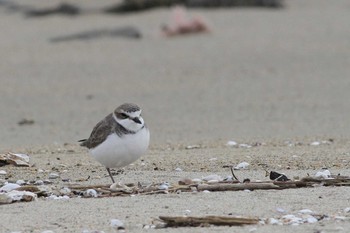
(117,151)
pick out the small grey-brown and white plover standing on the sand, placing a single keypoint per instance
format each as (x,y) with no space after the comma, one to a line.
(119,139)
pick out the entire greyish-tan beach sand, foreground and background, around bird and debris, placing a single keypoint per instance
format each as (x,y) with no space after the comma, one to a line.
(262,75)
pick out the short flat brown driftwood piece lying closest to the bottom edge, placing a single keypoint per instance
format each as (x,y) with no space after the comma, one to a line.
(181,221)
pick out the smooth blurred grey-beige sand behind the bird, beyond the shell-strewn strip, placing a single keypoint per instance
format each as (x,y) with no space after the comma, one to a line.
(260,73)
